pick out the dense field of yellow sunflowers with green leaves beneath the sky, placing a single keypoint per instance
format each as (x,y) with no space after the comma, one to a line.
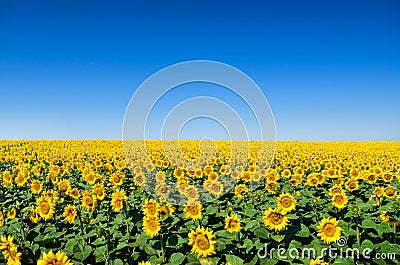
(82,202)
